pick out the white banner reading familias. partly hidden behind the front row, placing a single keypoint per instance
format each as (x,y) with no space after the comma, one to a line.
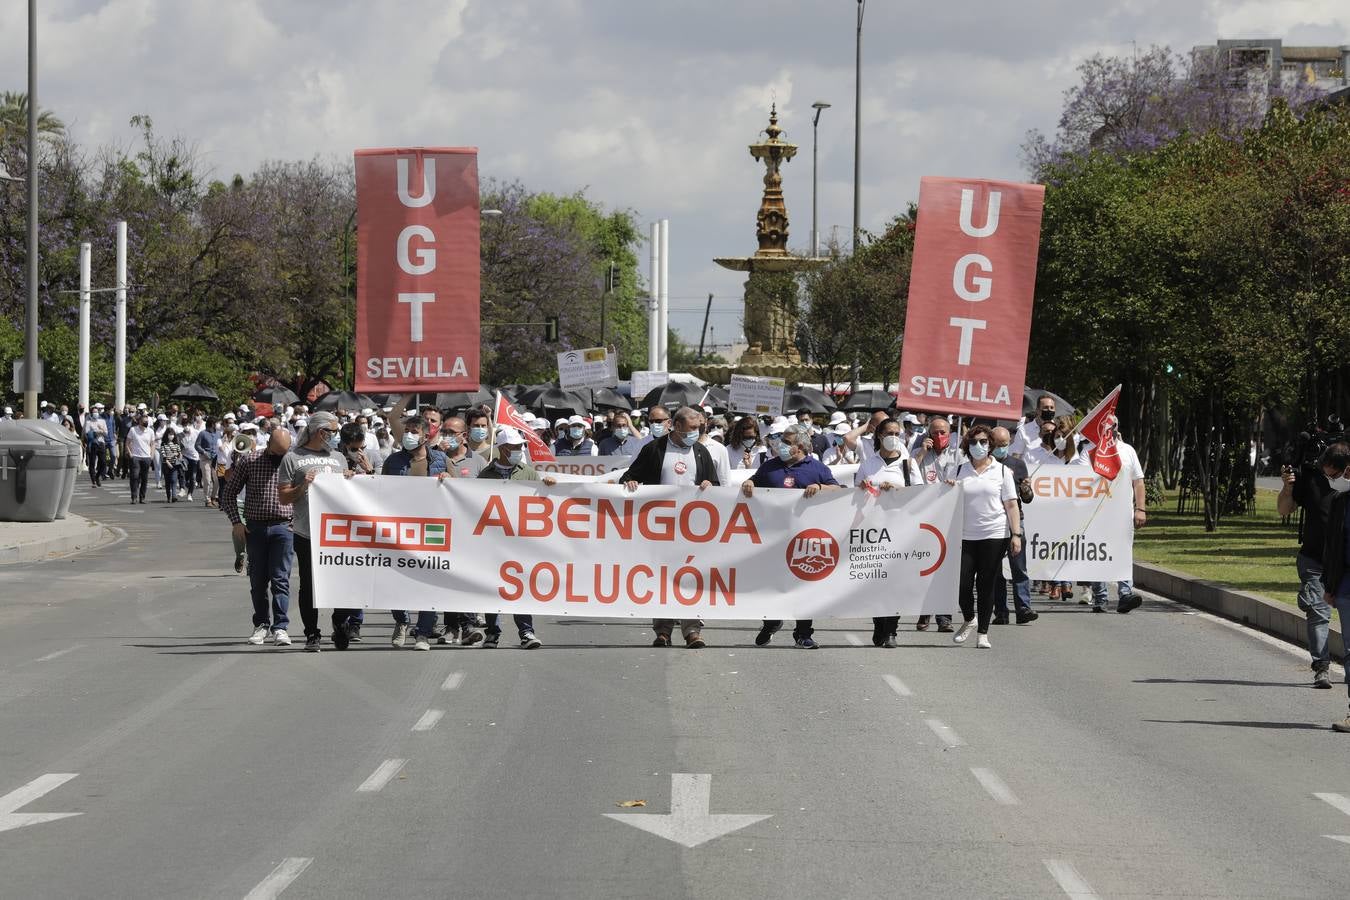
(1079,528)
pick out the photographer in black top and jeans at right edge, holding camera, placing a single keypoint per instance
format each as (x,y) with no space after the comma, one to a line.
(1313,485)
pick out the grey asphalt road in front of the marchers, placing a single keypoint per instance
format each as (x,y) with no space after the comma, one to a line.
(1158,755)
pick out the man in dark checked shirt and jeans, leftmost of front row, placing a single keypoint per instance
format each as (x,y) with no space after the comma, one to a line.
(268,535)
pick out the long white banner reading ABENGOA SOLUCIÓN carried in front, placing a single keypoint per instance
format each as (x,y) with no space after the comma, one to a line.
(480,546)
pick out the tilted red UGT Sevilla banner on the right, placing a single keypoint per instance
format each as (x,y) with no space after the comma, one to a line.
(971,289)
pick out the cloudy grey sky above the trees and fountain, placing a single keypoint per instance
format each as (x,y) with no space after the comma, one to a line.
(646,106)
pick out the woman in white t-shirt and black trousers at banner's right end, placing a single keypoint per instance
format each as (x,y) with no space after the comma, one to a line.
(992,519)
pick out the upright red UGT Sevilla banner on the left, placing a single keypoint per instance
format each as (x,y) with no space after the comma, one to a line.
(418,269)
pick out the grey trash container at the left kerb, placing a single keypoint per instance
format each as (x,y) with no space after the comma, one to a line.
(34,470)
